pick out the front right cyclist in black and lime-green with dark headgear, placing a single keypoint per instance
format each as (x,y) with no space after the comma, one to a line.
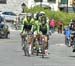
(43,30)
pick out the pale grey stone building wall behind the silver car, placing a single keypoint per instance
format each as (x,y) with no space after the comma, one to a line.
(12,5)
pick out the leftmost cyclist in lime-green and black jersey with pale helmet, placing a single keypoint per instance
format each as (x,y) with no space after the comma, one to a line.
(27,25)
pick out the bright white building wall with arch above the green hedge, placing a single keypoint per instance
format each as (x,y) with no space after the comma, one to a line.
(50,3)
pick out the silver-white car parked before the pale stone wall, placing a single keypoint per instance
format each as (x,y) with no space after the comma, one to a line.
(8,15)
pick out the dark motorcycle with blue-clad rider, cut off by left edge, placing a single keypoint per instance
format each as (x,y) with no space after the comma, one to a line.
(4,32)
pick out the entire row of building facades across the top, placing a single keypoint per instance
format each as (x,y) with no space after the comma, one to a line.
(15,5)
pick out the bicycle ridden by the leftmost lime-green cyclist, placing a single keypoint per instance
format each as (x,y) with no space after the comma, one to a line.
(28,44)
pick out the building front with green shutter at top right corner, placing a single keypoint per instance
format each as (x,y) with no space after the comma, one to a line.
(67,5)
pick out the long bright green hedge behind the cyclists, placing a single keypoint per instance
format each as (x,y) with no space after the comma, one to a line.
(57,15)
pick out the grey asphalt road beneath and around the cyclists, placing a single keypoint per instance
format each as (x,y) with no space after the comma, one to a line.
(11,53)
